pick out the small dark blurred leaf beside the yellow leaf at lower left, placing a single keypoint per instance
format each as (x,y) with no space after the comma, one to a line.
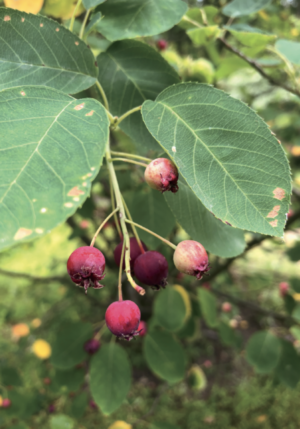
(68,347)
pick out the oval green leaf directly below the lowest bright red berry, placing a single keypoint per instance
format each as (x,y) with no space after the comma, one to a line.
(110,377)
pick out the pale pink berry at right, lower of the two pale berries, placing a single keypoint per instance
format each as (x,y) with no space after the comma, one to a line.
(191,258)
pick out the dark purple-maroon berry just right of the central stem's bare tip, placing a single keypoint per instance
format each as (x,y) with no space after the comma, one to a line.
(151,268)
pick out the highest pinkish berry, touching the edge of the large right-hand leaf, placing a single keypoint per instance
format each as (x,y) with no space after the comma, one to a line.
(161,174)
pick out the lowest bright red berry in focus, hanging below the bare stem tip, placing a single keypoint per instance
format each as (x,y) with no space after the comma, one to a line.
(123,318)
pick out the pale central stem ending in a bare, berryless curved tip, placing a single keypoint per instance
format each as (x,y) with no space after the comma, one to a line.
(122,216)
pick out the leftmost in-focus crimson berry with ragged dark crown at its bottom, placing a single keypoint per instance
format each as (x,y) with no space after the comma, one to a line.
(86,266)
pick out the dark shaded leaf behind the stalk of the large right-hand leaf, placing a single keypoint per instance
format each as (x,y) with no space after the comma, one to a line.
(130,73)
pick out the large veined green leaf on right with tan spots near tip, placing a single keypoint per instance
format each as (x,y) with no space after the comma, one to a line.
(226,154)
